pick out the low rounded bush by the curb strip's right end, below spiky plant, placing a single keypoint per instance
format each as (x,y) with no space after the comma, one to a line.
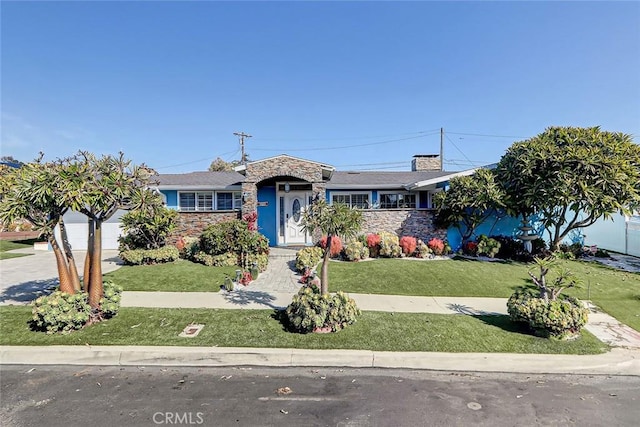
(559,318)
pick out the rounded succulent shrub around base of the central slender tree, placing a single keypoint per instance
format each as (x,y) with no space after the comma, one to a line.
(310,309)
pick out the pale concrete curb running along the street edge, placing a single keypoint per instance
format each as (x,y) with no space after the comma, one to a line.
(618,361)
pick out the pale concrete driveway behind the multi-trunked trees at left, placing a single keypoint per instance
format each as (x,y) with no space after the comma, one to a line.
(25,278)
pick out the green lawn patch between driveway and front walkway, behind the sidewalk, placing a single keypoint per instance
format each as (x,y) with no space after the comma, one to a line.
(181,275)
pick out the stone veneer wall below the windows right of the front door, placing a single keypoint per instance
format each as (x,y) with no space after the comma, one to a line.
(404,222)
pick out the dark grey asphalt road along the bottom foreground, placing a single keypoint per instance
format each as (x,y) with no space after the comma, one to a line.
(117,396)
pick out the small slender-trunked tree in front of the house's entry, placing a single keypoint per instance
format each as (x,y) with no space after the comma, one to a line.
(331,220)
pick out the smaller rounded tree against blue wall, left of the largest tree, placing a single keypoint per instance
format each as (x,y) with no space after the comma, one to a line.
(469,201)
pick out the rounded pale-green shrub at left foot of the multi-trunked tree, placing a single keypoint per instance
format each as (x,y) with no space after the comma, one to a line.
(60,312)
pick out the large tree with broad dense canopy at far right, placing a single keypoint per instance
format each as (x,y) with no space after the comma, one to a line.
(570,177)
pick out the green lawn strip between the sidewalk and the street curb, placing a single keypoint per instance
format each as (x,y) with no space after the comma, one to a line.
(261,328)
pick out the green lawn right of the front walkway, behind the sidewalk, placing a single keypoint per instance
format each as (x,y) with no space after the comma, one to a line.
(616,292)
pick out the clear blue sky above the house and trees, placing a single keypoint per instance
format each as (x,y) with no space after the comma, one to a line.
(169,83)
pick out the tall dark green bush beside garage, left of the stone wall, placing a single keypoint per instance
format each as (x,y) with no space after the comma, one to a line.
(147,228)
